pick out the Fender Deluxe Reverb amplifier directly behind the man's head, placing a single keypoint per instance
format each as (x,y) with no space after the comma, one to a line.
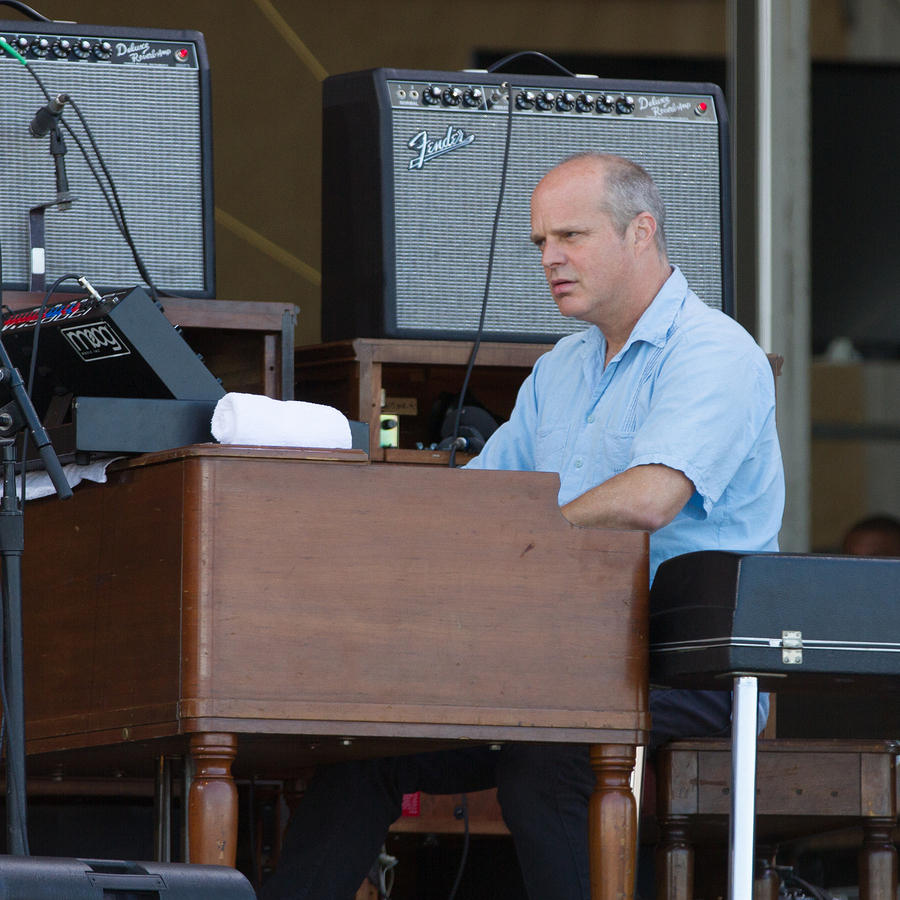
(411,169)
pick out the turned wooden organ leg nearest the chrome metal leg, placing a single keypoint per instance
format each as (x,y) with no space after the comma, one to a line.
(613,823)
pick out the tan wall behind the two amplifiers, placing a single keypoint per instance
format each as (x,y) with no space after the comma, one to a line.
(267,98)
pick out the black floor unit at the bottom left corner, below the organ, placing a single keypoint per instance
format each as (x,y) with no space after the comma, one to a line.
(56,878)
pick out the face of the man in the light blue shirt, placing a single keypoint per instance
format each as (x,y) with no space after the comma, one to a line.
(586,261)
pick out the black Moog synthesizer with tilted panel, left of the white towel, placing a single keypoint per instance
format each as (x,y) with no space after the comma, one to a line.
(117,345)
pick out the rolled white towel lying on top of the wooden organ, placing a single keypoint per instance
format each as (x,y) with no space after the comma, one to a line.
(262,421)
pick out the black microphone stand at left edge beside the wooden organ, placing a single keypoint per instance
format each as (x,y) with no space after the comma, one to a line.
(16,414)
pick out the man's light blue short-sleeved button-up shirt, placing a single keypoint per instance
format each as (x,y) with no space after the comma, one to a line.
(690,390)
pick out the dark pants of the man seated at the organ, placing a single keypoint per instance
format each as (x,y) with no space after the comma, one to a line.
(543,790)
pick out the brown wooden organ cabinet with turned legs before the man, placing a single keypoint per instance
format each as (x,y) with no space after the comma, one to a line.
(264,609)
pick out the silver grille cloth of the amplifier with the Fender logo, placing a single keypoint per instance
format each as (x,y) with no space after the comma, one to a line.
(441,239)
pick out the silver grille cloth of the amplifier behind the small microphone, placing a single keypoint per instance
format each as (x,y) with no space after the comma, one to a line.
(146,121)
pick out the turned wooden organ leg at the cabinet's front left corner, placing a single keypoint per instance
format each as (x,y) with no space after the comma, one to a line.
(213,801)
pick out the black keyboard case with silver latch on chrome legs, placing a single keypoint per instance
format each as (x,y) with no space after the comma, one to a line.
(795,620)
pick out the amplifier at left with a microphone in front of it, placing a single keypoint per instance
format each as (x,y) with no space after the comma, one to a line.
(145,94)
